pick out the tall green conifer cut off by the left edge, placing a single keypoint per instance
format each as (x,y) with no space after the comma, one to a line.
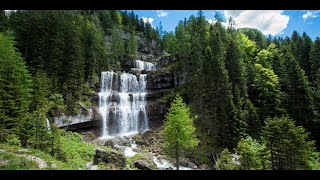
(15,85)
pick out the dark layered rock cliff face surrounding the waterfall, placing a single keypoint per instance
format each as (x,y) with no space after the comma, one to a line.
(159,82)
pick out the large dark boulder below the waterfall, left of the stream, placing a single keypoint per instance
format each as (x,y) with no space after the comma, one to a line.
(109,156)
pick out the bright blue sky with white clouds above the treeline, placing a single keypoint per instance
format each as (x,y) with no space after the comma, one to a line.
(274,22)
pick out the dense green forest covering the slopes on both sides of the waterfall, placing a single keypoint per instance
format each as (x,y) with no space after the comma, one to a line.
(252,97)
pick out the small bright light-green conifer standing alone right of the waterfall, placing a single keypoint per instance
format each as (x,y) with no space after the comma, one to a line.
(179,130)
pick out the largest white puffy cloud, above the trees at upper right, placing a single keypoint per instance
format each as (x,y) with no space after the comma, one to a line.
(267,21)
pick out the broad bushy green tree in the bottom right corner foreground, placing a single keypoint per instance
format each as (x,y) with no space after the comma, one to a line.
(288,145)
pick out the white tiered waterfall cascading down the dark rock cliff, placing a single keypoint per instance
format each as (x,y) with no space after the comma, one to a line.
(122,102)
